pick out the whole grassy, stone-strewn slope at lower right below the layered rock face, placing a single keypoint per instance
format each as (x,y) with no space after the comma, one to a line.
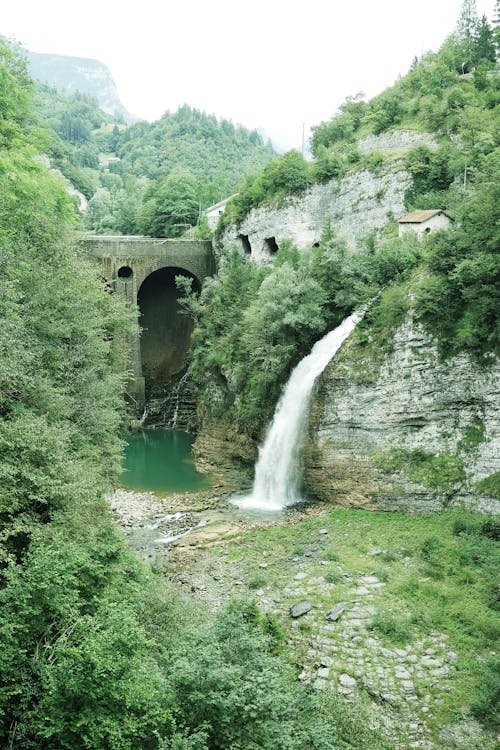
(438,593)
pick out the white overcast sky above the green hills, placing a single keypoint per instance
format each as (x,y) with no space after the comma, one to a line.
(263,63)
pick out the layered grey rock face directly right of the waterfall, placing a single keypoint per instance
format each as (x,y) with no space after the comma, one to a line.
(367,426)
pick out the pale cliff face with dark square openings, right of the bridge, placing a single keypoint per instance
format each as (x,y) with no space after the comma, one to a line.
(356,205)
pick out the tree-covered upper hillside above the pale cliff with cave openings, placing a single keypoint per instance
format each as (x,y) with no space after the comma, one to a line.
(455,101)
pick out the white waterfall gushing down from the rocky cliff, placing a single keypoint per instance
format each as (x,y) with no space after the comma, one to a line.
(278,478)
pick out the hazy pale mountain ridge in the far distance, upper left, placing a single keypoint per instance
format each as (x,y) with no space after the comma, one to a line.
(71,74)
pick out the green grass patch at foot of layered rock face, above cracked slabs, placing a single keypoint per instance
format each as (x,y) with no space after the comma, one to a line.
(441,574)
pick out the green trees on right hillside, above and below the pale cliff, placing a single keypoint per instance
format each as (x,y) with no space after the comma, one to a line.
(255,323)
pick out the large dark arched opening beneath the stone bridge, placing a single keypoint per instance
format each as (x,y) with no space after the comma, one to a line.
(166,330)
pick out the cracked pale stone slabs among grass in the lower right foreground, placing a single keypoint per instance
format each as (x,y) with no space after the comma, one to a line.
(404,684)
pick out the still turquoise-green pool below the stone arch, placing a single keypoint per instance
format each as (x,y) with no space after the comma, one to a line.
(161,461)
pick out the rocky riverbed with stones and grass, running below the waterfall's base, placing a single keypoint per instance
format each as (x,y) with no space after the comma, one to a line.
(342,589)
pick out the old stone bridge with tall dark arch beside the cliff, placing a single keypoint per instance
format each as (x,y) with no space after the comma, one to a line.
(143,270)
